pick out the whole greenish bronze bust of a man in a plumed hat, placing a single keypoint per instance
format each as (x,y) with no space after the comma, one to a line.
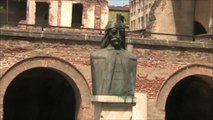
(113,67)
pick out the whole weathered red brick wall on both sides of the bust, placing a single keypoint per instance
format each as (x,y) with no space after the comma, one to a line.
(155,63)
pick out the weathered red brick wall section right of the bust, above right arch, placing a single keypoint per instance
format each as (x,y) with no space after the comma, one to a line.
(156,64)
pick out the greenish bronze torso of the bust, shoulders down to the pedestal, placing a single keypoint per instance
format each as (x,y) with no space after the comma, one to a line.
(114,72)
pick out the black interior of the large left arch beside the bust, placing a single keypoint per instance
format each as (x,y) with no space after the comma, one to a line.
(39,94)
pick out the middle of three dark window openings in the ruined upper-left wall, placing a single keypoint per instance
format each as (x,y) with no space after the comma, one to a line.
(42,14)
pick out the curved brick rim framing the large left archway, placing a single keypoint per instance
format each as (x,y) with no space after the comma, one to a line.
(74,77)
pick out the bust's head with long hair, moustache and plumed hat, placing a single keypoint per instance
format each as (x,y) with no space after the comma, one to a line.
(115,34)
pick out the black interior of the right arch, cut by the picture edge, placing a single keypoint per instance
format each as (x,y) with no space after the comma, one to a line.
(190,99)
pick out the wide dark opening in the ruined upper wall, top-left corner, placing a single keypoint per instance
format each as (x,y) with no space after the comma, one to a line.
(13,12)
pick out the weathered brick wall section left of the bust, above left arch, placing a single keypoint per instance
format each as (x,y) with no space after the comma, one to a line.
(78,54)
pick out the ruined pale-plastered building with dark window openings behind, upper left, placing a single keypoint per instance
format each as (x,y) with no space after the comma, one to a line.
(73,13)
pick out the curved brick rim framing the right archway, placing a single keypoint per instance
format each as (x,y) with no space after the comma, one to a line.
(178,76)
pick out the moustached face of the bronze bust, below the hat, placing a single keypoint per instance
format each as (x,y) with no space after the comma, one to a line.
(115,37)
